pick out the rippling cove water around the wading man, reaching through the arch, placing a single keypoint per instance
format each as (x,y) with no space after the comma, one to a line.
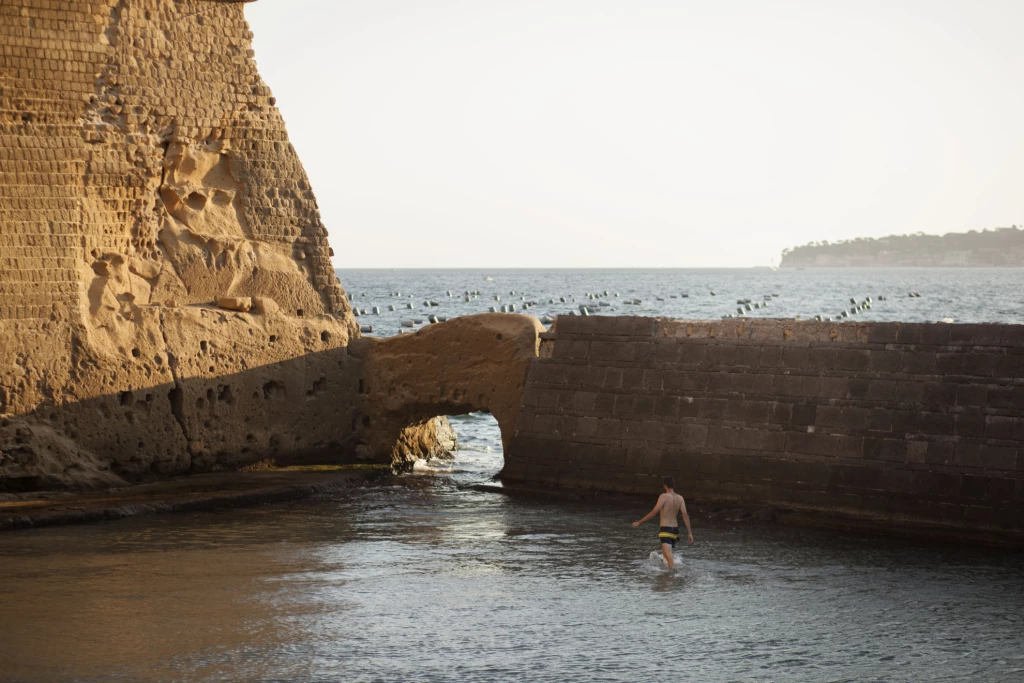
(422,579)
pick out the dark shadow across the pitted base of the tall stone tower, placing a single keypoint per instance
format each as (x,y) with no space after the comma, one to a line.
(305,410)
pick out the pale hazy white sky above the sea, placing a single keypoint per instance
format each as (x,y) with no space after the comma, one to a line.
(646,133)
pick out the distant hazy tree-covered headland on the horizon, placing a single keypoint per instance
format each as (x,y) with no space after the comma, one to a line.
(1002,247)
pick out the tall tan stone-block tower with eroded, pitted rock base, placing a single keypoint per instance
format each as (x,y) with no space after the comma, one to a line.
(146,176)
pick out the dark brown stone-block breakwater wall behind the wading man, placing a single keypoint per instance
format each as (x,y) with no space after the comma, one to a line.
(916,423)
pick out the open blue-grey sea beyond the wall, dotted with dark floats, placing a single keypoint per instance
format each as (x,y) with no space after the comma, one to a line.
(963,295)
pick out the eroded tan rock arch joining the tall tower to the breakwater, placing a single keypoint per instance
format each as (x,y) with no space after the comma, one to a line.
(470,364)
